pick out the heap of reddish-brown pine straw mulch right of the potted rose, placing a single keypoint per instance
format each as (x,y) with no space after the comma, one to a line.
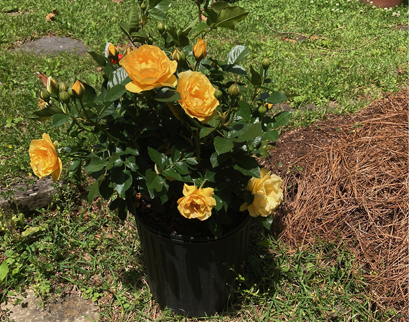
(347,181)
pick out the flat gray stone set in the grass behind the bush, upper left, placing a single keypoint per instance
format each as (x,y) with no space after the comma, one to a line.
(53,45)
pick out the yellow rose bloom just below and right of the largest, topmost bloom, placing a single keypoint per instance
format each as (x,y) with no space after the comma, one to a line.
(197,95)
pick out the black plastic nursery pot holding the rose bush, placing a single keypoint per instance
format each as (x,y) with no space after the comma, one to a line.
(194,277)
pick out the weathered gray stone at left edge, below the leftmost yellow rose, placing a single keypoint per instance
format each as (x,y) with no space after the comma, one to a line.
(27,198)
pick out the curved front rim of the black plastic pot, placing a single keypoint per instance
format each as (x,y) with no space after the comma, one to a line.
(189,239)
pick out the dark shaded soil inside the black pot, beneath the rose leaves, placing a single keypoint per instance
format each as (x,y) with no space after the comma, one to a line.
(171,221)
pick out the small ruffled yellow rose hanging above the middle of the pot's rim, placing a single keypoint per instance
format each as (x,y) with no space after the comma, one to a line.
(196,203)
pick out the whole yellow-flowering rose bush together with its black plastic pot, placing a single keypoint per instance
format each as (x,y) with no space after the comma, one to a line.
(178,137)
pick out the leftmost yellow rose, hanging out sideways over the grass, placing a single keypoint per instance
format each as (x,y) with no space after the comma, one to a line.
(44,158)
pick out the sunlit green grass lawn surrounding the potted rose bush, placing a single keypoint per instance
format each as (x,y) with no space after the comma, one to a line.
(334,56)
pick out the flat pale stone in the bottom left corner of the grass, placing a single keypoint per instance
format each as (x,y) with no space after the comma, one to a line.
(69,308)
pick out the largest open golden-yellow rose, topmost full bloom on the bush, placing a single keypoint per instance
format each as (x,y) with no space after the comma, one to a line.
(148,67)
